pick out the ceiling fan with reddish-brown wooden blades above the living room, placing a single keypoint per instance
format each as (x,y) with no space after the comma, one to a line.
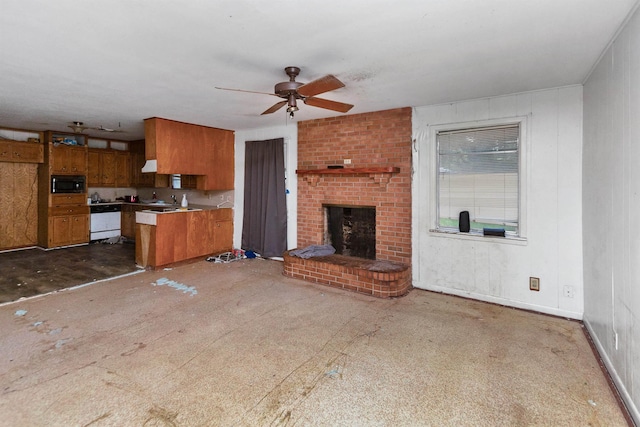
(292,90)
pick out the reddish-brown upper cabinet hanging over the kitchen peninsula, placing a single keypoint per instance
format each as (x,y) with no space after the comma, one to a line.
(187,149)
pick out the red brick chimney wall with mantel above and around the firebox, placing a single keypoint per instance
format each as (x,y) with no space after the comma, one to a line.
(377,139)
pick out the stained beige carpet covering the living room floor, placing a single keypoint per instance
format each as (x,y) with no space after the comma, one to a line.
(239,344)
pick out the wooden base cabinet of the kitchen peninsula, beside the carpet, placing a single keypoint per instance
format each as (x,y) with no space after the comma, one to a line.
(179,236)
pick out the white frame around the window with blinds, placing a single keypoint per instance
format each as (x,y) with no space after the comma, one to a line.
(523,173)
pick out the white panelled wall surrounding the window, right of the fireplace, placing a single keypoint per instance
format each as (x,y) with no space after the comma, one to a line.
(498,270)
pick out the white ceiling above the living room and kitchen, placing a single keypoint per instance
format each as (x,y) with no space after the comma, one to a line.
(113,63)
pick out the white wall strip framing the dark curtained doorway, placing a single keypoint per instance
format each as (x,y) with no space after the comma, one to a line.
(290,134)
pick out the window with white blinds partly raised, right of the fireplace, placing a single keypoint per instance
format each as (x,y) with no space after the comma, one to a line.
(479,172)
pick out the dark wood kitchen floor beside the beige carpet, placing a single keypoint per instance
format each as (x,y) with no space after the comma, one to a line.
(31,272)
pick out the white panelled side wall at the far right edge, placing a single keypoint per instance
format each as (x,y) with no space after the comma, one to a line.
(611,208)
